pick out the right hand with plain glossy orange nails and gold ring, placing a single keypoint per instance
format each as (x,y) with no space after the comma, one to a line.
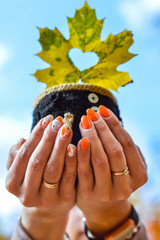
(101,195)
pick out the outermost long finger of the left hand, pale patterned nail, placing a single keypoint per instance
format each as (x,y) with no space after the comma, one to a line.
(17,170)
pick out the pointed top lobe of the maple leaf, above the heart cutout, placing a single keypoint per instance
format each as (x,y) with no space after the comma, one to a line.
(85,29)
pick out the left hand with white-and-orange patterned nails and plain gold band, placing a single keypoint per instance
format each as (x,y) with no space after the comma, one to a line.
(44,156)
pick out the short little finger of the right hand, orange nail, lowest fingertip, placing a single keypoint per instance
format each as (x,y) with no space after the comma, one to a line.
(85,172)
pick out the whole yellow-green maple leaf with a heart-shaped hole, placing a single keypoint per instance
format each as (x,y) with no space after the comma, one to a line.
(85,32)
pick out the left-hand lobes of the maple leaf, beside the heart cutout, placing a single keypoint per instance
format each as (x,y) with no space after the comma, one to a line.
(55,52)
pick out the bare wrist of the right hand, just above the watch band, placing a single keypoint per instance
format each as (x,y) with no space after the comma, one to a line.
(109,219)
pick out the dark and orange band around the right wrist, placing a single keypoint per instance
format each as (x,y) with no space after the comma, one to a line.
(124,231)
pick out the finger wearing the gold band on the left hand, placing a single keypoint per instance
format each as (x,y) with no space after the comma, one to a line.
(54,167)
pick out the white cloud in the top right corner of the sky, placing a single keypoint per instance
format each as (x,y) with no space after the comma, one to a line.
(138,13)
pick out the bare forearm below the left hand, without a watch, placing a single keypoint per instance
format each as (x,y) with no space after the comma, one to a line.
(39,225)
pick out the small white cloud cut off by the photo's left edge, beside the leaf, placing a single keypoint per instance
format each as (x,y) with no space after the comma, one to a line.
(5,55)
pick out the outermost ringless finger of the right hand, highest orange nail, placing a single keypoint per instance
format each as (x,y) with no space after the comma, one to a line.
(134,160)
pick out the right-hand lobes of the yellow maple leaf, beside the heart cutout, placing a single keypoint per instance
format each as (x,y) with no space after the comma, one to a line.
(112,52)
